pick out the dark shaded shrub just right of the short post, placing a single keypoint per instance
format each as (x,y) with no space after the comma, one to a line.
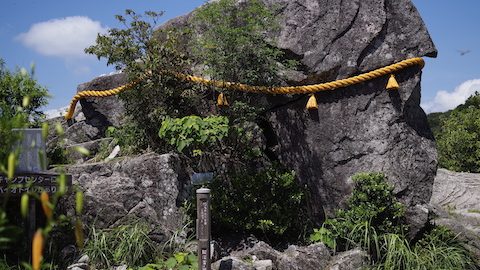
(269,203)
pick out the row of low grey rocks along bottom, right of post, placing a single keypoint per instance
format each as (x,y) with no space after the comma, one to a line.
(315,256)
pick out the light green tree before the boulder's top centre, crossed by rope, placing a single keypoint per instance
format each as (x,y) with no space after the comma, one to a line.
(232,44)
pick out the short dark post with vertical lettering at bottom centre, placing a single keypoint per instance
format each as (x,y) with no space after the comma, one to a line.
(203,228)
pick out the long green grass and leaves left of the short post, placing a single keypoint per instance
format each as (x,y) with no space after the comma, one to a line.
(131,244)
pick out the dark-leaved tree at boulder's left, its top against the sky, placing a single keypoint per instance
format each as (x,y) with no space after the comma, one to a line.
(149,56)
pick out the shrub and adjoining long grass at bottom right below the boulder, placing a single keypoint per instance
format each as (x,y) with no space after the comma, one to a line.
(374,221)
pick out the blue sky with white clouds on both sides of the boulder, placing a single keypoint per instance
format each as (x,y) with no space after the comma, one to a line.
(36,31)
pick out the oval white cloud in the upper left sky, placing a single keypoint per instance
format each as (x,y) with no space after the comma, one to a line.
(66,37)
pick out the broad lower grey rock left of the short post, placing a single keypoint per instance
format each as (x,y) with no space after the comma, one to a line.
(149,187)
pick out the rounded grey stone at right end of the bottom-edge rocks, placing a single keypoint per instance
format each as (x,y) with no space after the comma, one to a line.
(354,259)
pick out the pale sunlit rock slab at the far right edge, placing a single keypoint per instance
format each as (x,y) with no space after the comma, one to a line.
(456,203)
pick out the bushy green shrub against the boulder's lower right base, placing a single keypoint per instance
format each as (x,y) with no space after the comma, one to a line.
(371,211)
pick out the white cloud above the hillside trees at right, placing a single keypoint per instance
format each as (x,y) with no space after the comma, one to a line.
(444,100)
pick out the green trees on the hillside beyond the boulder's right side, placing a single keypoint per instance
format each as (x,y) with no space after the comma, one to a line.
(458,136)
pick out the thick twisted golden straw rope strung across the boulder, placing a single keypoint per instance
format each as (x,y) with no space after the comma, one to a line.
(304,89)
